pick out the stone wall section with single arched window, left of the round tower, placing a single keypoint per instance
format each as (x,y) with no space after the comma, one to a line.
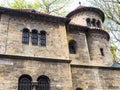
(82,54)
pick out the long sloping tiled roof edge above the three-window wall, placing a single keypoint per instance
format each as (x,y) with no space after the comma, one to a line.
(30,13)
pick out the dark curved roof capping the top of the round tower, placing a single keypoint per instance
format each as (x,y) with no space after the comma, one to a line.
(86,8)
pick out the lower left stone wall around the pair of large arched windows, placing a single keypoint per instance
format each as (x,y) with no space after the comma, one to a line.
(59,73)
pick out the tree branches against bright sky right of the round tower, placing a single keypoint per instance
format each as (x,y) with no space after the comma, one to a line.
(111,9)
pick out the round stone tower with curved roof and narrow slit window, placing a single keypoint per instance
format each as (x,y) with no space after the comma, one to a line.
(97,38)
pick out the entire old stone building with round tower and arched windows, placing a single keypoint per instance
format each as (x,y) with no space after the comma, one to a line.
(44,52)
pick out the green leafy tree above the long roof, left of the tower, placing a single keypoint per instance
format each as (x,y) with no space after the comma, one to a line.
(55,7)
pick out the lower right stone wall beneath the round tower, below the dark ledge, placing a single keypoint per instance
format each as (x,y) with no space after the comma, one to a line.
(95,78)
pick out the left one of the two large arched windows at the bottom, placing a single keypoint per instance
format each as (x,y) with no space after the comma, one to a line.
(25,83)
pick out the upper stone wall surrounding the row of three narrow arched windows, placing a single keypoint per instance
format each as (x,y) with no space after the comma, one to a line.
(11,37)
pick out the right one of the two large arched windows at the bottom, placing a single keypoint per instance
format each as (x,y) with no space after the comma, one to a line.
(43,83)
